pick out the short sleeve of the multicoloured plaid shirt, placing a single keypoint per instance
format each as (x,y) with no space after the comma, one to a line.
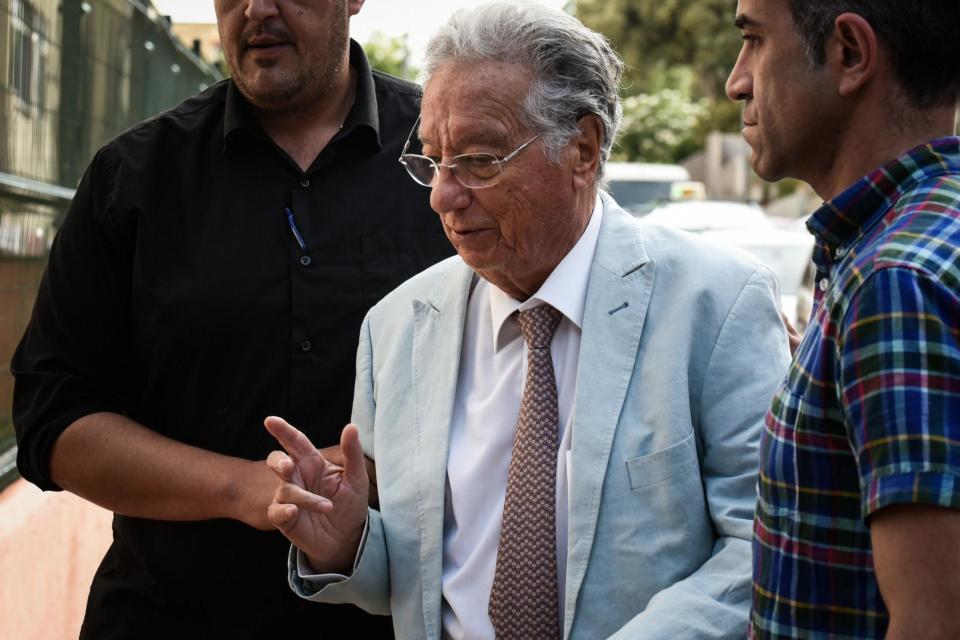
(900,385)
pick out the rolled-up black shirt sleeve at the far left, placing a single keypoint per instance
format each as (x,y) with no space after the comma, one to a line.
(72,359)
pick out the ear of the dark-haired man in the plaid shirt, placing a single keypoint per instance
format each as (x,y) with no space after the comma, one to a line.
(853,52)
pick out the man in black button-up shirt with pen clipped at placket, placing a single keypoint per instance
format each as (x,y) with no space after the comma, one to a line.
(214,269)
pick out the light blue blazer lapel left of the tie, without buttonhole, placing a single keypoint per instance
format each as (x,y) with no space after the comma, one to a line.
(437,338)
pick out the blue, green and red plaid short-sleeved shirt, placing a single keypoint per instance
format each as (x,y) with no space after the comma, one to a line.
(869,413)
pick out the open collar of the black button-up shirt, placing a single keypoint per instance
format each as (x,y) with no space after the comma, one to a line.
(363,114)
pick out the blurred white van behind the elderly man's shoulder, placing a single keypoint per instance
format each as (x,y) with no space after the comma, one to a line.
(638,187)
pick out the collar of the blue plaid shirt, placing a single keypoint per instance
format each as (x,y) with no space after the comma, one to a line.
(838,223)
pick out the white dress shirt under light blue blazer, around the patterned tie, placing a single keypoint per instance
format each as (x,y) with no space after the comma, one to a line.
(489,388)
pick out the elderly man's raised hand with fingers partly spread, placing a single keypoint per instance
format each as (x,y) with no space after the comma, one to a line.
(321,507)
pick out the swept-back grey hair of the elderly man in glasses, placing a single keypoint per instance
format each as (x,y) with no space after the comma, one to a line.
(576,71)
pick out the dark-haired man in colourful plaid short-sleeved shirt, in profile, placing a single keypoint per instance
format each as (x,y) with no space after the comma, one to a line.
(857,532)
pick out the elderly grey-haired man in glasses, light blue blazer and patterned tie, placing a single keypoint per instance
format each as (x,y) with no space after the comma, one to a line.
(565,417)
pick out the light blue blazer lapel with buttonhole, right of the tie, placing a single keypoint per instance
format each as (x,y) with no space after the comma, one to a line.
(618,292)
